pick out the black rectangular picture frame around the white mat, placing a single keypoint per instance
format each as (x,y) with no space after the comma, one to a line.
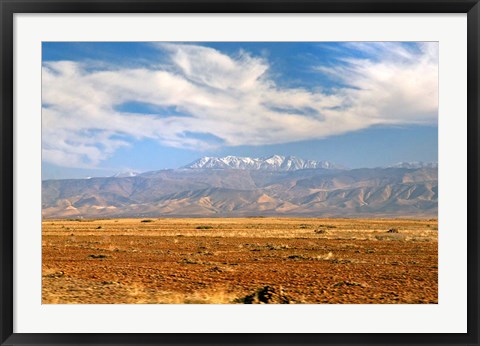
(9,7)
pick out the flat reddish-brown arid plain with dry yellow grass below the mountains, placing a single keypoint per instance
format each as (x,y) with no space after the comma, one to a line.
(239,260)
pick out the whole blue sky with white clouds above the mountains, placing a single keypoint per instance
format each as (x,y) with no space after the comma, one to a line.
(116,106)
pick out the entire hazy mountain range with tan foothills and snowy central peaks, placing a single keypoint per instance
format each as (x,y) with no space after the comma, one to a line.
(241,186)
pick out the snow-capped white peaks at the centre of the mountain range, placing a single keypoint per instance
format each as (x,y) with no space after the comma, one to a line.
(272,163)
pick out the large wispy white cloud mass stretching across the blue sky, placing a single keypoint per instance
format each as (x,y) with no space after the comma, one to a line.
(230,98)
